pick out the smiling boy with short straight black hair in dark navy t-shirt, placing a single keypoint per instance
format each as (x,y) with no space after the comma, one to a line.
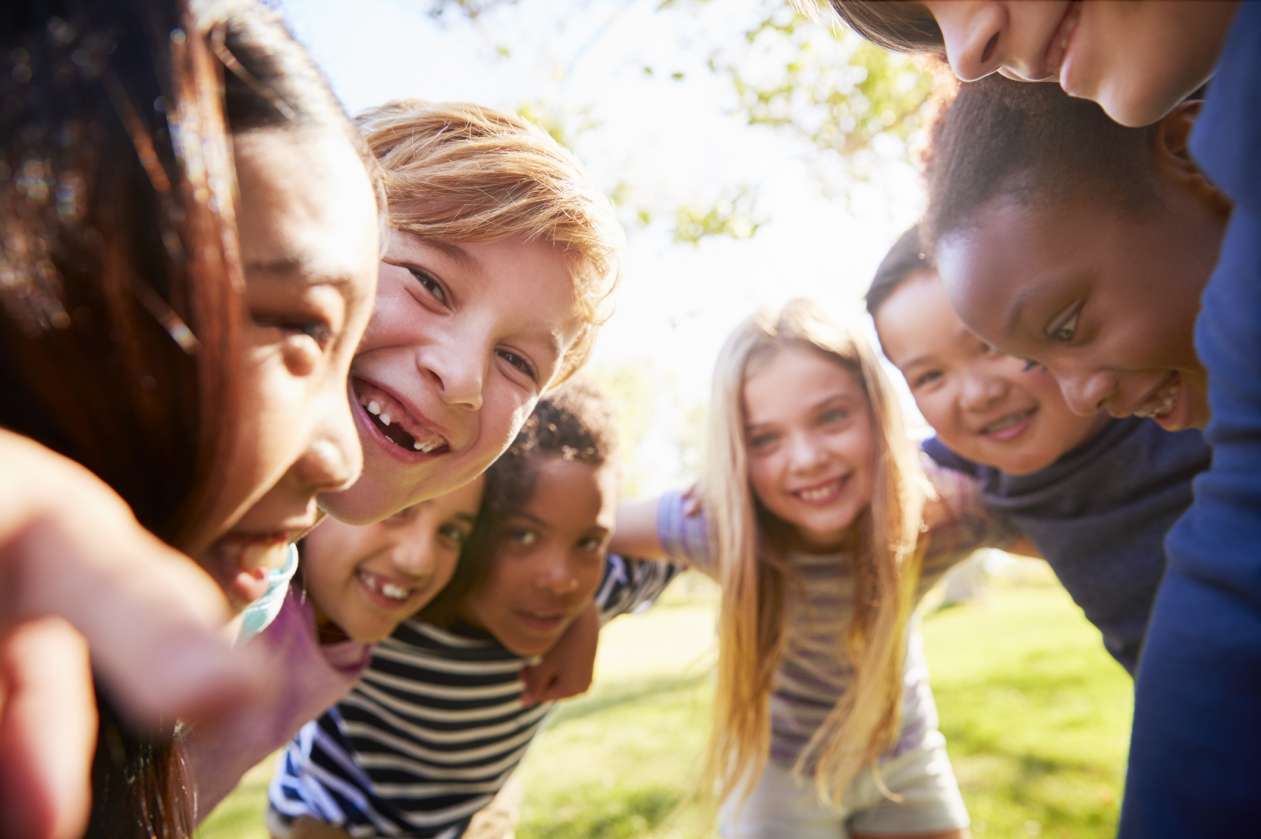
(1095,496)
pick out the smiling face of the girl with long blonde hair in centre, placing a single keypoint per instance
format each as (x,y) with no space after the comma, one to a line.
(811,442)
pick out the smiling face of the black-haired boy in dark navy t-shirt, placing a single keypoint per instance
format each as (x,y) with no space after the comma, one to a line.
(985,406)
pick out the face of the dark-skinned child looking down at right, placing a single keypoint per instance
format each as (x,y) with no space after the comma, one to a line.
(1105,300)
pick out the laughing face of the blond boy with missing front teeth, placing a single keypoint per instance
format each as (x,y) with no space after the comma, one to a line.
(463,341)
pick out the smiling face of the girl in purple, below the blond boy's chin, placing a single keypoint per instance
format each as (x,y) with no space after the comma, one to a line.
(366,580)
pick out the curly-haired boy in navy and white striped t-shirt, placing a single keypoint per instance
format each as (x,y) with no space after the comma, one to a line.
(438,724)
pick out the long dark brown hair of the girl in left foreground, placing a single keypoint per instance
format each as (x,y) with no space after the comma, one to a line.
(120,279)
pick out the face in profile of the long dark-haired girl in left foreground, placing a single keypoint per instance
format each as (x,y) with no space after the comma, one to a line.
(310,252)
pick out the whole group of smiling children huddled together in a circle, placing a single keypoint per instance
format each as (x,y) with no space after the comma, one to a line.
(228,307)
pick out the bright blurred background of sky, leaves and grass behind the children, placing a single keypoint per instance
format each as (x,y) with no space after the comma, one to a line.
(755,157)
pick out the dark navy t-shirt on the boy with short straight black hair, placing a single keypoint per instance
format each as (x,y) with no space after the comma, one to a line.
(1099,517)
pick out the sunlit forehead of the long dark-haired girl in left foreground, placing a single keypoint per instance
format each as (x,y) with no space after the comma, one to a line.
(297,221)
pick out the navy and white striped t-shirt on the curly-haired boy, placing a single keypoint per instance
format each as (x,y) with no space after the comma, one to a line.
(433,730)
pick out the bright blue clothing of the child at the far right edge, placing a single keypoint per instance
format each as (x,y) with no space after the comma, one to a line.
(1197,717)
